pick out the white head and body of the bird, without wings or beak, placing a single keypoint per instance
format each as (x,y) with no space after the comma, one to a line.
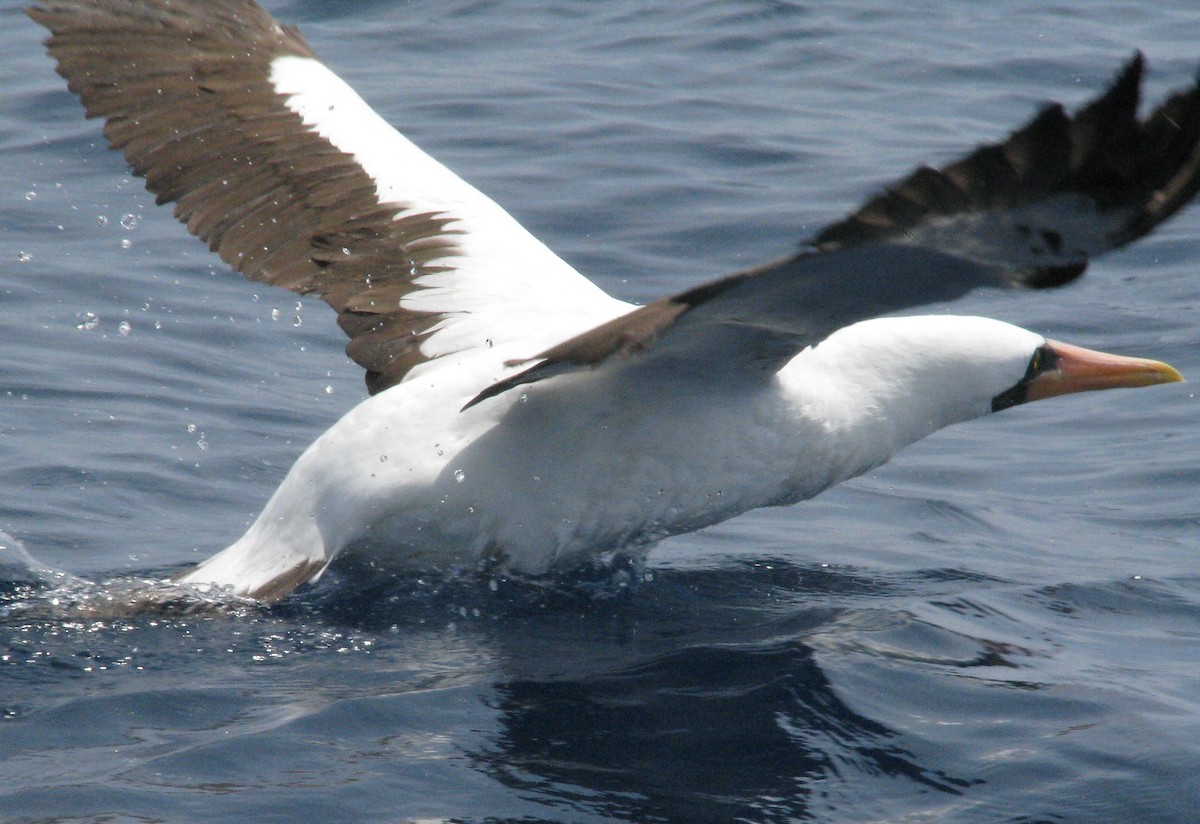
(598,462)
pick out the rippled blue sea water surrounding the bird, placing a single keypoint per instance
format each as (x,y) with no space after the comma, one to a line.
(1004,625)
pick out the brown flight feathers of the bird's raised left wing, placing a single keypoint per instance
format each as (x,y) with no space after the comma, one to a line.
(185,94)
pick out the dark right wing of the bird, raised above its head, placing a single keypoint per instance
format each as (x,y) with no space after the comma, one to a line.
(1030,212)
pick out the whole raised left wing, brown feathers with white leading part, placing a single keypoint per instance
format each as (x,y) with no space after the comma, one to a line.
(296,182)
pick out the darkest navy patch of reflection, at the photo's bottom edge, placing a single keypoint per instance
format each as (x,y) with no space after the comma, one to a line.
(707,733)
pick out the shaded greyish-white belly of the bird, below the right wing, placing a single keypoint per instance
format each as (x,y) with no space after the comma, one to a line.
(574,470)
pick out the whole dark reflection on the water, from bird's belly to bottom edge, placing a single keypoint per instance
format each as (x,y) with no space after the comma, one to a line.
(695,699)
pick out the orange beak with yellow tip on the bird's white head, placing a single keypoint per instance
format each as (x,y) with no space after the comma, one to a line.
(1079,370)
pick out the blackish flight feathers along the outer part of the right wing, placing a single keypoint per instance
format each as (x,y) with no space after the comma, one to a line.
(1150,169)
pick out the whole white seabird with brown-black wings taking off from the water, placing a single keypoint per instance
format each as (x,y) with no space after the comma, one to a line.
(521,417)
